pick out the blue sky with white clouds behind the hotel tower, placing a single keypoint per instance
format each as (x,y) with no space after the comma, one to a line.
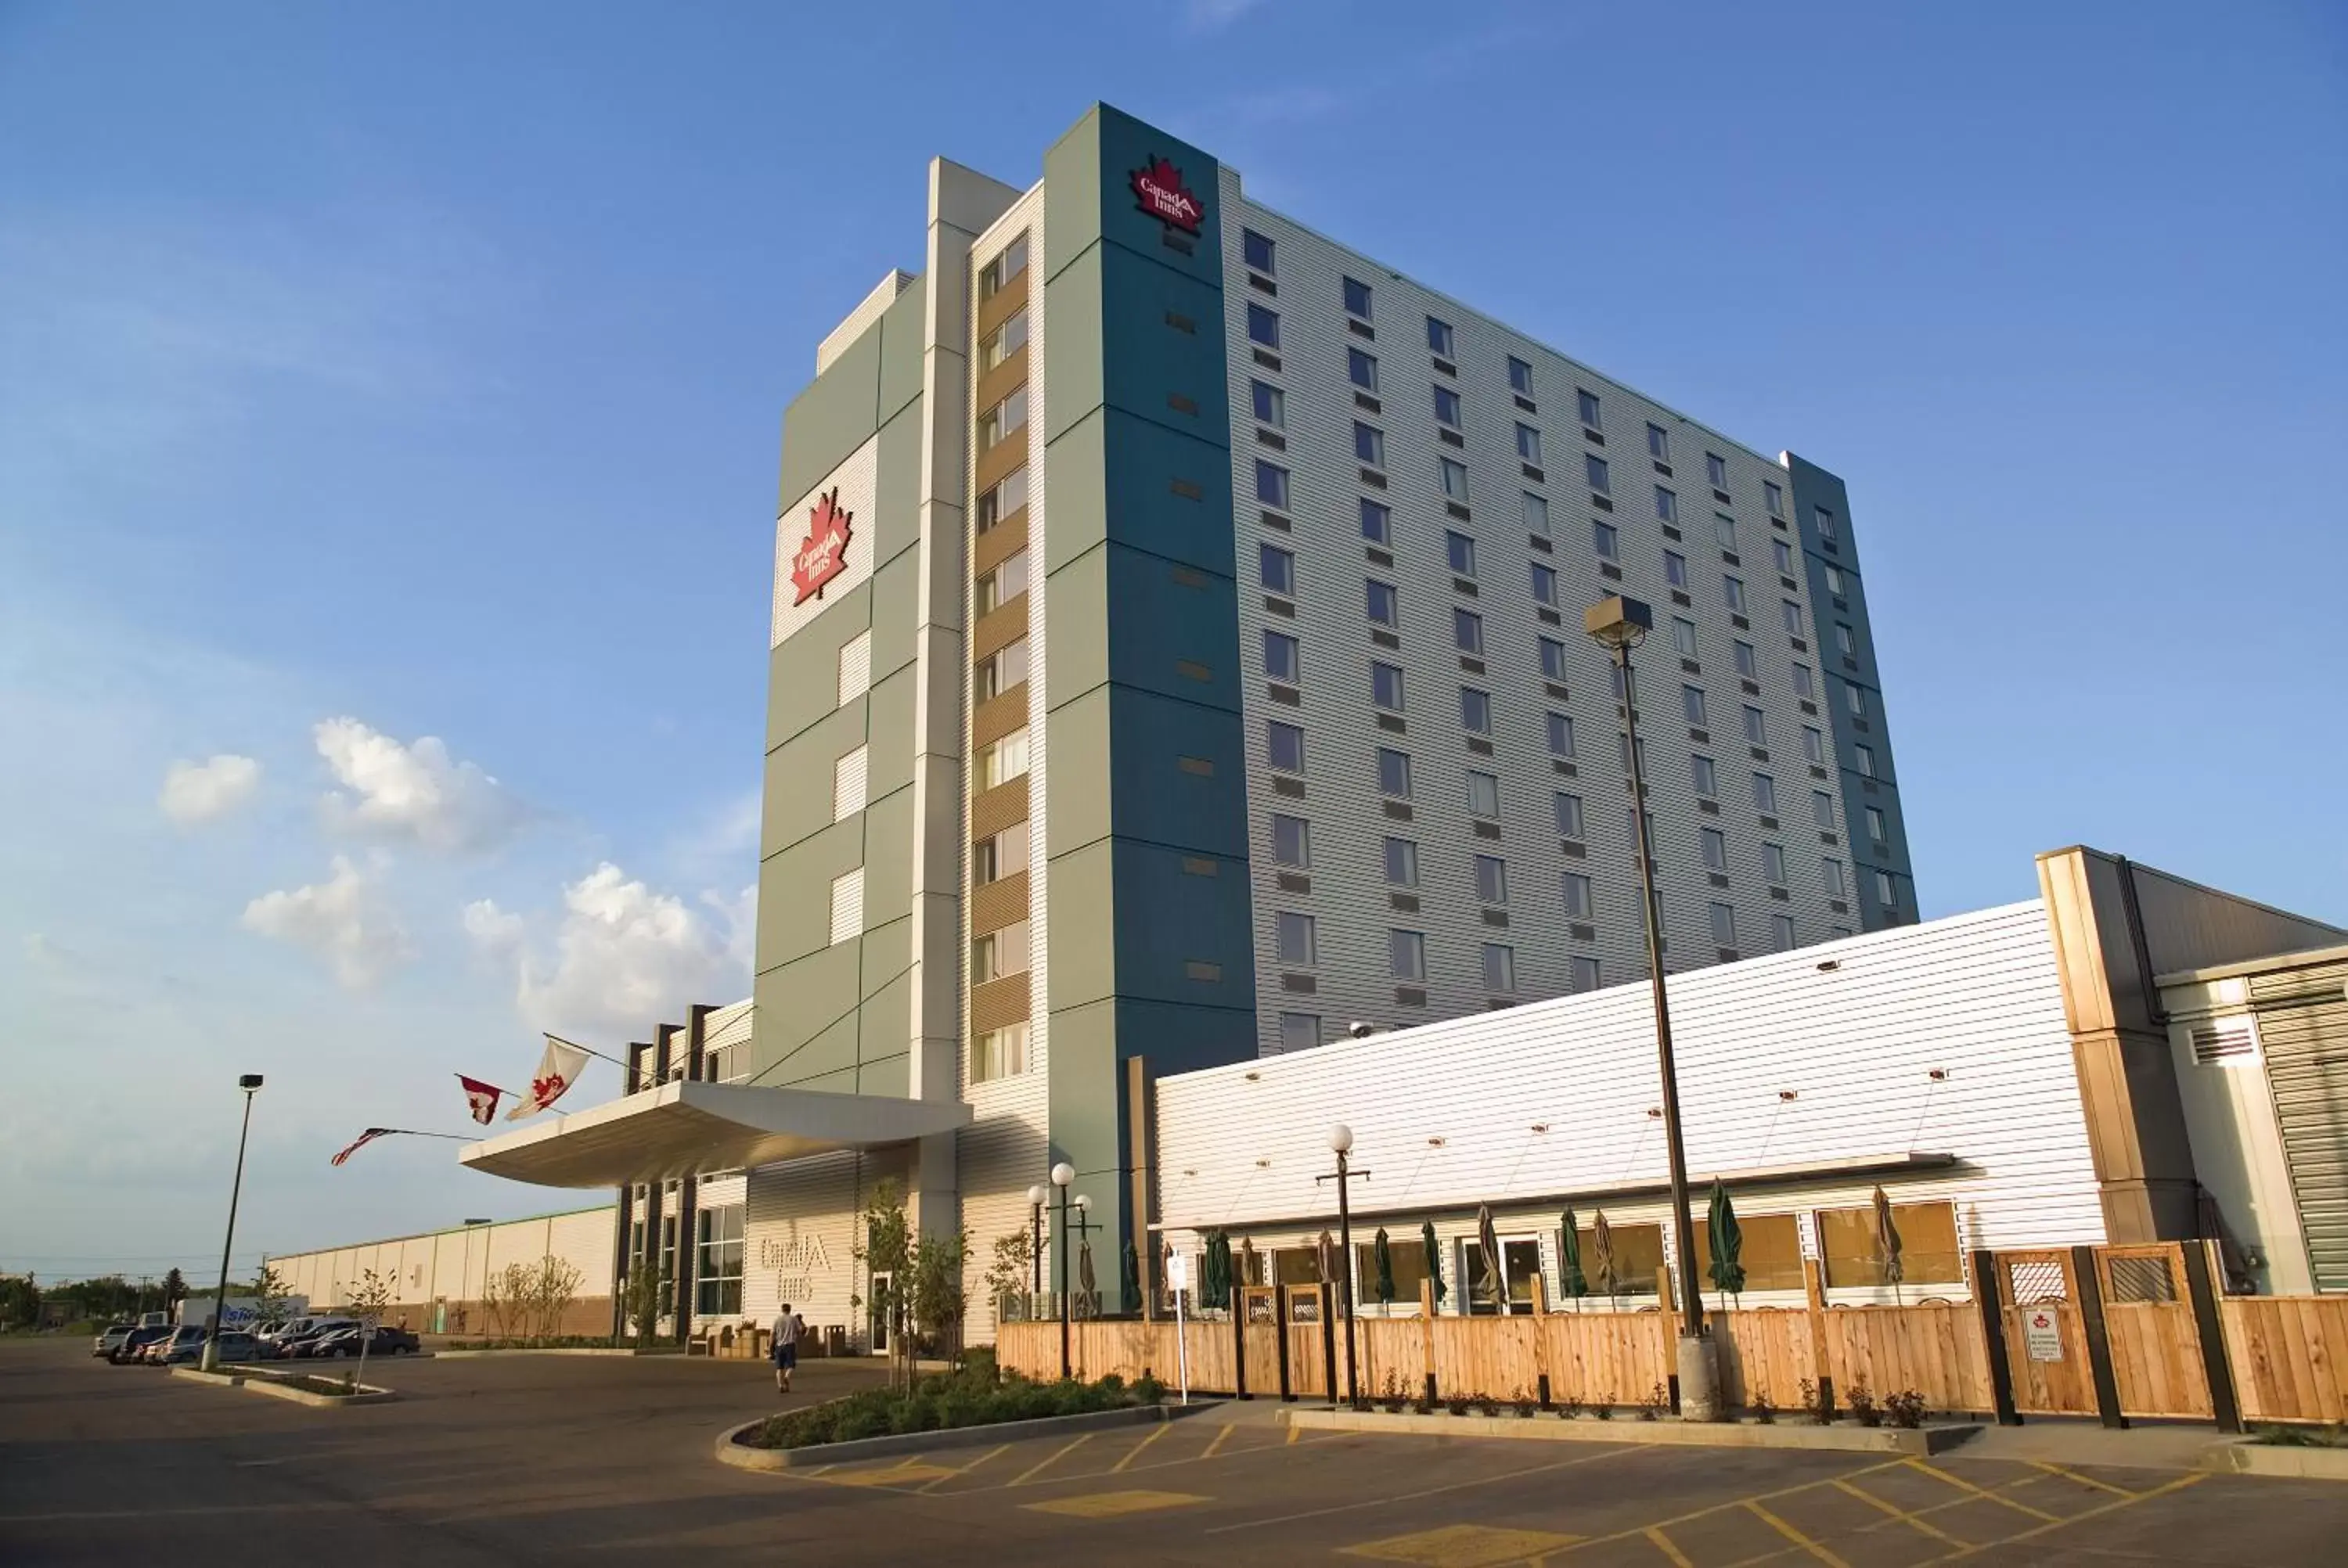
(417,372)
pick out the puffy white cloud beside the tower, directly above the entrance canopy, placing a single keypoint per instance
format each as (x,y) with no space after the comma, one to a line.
(623,957)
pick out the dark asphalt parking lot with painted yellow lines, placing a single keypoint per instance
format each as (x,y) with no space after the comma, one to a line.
(520,1461)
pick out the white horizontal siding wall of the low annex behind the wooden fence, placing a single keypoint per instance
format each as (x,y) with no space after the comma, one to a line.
(1445,1116)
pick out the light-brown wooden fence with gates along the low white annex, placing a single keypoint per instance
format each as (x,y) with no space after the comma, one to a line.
(2114,1332)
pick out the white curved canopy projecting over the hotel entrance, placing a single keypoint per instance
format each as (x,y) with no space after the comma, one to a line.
(689,1128)
